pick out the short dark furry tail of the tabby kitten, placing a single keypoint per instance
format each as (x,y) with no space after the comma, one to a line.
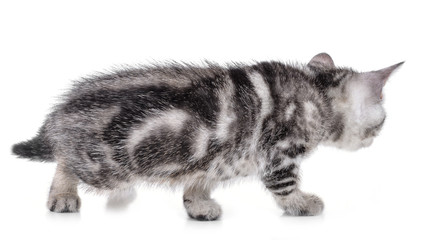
(36,149)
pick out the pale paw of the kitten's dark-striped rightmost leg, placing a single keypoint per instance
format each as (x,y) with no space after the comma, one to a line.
(309,205)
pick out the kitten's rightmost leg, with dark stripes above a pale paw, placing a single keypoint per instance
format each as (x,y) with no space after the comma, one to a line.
(283,183)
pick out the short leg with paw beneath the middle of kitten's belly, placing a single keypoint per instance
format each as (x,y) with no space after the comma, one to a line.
(199,204)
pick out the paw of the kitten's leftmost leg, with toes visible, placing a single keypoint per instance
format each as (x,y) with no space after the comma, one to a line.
(64,203)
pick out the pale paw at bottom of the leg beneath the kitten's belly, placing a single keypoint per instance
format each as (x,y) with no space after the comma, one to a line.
(202,210)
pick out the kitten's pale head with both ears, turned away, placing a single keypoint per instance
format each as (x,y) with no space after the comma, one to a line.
(357,101)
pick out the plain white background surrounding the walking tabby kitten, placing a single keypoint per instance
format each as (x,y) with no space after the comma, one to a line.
(374,193)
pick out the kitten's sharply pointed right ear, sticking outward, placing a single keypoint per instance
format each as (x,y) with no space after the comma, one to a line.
(377,79)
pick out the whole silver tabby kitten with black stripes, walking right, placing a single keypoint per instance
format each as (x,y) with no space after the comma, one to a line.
(191,126)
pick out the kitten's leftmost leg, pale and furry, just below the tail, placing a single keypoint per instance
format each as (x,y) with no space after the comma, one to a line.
(63,196)
